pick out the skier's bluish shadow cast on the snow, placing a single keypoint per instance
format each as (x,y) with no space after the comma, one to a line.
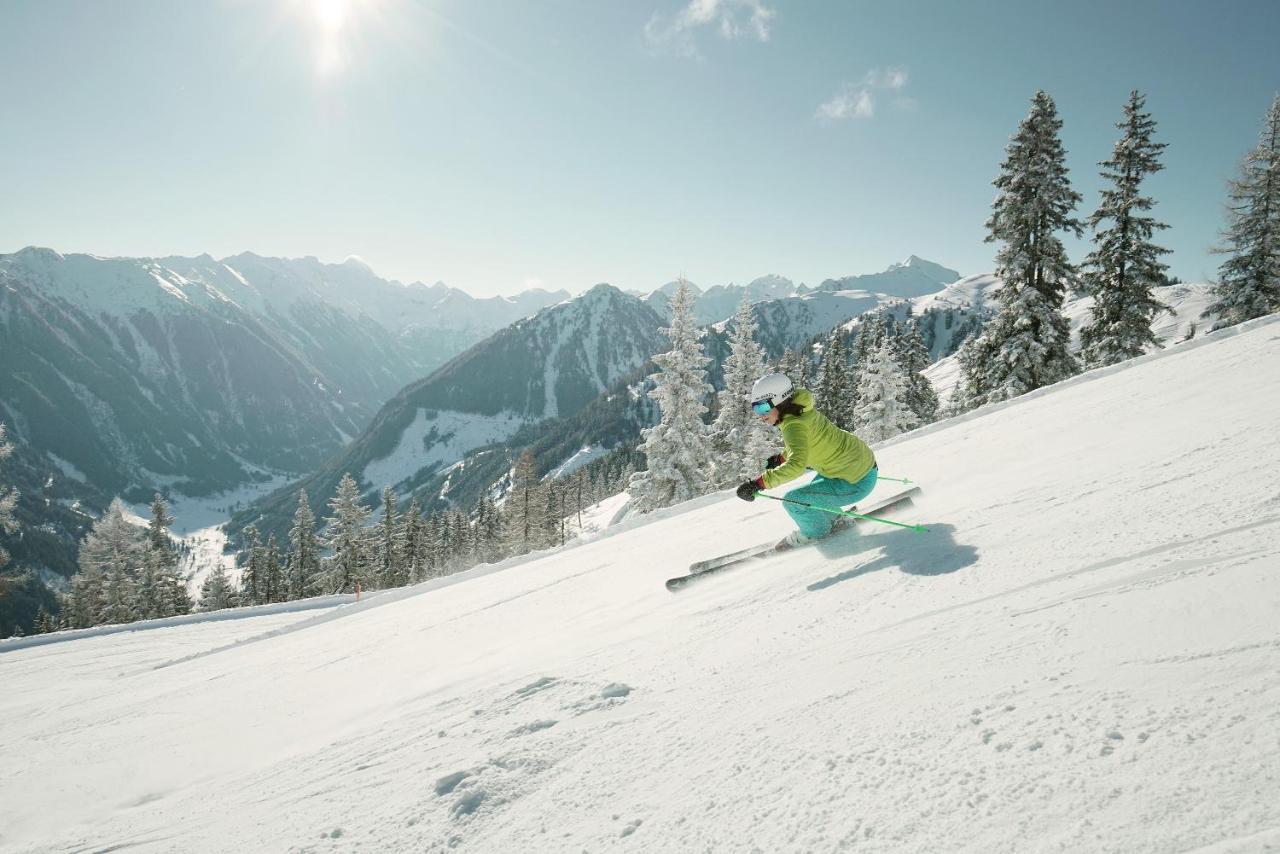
(932,552)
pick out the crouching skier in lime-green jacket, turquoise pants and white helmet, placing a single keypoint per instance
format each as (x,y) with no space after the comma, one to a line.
(845,467)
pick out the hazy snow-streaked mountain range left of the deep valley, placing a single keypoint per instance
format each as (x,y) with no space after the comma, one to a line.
(196,376)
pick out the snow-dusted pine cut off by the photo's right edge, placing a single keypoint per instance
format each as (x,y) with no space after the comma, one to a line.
(1250,280)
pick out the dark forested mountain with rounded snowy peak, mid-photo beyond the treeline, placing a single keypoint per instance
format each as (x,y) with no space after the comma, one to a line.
(547,367)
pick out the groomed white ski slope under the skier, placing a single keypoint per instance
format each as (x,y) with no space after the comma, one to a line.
(1082,655)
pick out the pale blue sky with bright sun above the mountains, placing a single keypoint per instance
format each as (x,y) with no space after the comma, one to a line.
(496,144)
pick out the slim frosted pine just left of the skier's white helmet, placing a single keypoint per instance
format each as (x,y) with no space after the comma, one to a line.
(740,441)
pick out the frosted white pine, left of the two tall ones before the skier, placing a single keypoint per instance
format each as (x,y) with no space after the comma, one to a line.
(678,450)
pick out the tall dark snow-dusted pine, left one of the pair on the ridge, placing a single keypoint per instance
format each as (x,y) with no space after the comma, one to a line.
(1026,345)
